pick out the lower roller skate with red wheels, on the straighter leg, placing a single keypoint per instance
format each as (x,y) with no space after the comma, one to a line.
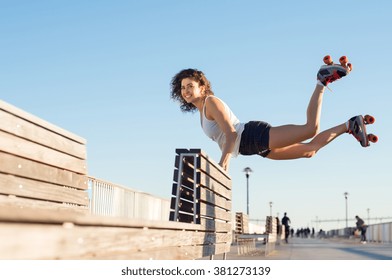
(356,127)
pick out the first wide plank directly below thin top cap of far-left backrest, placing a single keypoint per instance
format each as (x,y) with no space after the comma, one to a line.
(35,133)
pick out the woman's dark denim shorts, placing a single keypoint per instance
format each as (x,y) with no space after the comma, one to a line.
(255,139)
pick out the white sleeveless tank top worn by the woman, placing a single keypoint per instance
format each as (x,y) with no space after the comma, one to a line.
(212,130)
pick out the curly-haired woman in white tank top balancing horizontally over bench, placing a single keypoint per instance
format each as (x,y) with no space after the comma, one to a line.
(193,91)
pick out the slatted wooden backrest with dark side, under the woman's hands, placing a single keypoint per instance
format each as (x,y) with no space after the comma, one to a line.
(202,196)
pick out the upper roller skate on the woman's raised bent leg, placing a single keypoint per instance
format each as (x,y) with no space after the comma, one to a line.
(331,72)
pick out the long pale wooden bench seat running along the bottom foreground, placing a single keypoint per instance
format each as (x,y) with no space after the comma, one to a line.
(68,241)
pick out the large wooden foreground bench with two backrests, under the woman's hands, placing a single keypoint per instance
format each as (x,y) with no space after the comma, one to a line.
(44,203)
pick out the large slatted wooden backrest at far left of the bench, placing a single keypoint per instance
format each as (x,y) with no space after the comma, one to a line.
(41,165)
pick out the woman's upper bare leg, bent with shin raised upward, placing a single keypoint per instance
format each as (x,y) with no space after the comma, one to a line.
(286,135)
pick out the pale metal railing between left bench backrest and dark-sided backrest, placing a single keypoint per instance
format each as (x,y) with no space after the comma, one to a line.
(108,199)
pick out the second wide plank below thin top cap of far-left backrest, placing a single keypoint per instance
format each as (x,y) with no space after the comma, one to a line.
(27,149)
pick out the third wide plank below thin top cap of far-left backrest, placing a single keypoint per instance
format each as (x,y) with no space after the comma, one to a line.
(14,165)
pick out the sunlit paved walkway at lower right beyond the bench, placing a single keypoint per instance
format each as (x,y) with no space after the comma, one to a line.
(319,249)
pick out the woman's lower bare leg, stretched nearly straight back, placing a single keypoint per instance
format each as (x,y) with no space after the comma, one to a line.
(301,150)
